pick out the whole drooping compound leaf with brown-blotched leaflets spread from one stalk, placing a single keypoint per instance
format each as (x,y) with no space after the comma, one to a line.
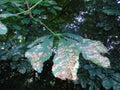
(66,59)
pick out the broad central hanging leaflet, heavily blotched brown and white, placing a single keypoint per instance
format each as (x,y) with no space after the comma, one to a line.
(66,60)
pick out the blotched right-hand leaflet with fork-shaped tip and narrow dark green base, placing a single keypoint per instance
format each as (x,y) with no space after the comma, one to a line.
(91,50)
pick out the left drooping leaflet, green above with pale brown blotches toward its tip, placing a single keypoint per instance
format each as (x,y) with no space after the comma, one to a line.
(38,54)
